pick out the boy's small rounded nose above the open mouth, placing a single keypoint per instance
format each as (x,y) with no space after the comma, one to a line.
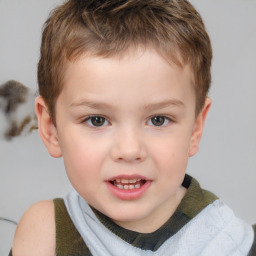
(128,146)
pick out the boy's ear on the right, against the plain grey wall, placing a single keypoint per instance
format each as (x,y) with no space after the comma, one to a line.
(198,127)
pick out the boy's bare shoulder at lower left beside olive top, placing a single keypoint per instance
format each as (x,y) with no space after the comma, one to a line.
(35,234)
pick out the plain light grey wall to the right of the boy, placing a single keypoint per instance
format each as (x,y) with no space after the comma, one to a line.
(226,163)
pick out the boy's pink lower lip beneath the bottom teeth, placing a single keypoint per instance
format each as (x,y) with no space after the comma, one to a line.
(128,194)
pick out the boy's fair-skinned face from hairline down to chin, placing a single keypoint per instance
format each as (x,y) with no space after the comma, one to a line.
(125,128)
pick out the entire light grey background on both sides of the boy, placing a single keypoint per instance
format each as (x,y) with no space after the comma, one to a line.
(226,163)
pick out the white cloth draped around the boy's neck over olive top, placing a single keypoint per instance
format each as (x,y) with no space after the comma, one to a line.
(214,231)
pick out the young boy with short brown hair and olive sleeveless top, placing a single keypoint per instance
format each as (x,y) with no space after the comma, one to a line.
(123,99)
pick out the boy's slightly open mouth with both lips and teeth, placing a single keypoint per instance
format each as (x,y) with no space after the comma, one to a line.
(128,188)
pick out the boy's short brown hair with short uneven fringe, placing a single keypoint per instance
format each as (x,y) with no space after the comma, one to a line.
(109,27)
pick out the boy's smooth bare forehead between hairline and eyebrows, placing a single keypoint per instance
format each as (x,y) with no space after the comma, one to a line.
(143,71)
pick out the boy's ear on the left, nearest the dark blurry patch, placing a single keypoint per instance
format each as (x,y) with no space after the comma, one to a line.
(47,129)
